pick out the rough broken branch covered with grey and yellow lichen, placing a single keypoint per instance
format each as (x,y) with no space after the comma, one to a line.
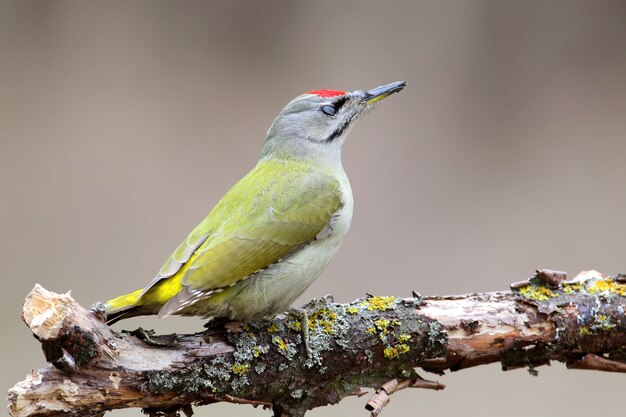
(375,342)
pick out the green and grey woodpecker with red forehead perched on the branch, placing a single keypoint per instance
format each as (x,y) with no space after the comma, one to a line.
(274,231)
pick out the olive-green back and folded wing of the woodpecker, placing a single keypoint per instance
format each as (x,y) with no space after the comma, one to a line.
(279,207)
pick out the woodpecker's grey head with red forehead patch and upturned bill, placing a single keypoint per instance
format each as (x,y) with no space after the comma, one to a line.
(315,124)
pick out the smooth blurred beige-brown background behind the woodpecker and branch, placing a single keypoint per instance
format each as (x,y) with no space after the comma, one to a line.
(121,124)
